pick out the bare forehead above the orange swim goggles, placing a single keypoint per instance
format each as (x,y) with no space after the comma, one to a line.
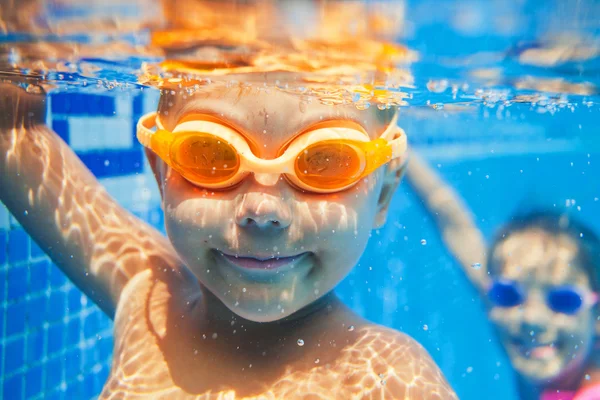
(265,112)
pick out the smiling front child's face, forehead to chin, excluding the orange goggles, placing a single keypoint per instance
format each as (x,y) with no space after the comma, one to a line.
(263,247)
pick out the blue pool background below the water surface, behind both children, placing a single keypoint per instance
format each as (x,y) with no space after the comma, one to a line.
(56,344)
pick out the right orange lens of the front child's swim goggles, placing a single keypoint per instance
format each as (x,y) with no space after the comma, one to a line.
(329,165)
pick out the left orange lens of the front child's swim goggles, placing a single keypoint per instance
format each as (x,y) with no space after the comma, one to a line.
(205,158)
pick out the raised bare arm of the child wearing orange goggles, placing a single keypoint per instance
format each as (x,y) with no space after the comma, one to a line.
(97,243)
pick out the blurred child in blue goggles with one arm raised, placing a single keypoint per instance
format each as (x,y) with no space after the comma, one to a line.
(539,281)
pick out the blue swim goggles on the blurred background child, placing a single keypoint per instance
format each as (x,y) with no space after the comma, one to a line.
(560,299)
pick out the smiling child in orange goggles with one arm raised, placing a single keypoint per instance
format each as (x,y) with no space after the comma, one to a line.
(269,203)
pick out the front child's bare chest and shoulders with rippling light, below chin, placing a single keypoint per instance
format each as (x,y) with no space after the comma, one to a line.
(173,348)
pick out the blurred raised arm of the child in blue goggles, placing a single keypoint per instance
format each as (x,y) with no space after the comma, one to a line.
(453,219)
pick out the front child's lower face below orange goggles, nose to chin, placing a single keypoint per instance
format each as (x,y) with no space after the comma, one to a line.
(200,222)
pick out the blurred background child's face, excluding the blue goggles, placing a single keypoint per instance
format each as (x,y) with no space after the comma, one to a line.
(540,342)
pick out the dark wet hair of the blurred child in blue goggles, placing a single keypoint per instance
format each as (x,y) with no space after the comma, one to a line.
(557,223)
